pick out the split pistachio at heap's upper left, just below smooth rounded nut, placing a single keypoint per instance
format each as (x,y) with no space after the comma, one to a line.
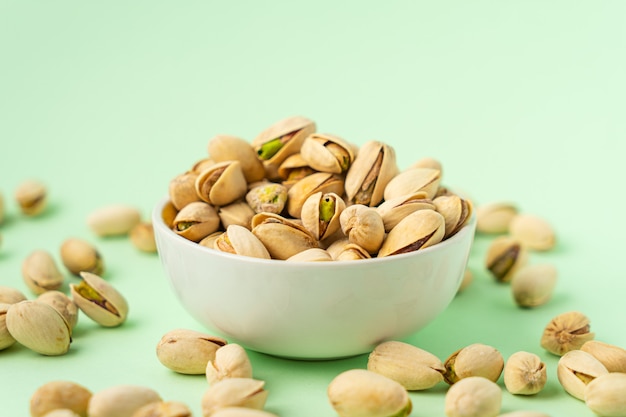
(222,183)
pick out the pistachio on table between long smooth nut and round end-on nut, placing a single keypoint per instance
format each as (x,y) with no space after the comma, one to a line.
(474,360)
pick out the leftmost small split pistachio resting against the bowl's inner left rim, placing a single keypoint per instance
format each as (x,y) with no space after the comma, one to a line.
(196,221)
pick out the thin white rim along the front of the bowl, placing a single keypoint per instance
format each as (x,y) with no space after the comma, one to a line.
(159,223)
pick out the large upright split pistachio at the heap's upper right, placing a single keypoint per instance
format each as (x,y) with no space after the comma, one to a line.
(368,176)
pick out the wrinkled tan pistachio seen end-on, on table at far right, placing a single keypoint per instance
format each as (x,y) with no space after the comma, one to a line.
(565,332)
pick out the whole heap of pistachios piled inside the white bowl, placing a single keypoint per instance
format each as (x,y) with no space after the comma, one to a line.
(294,193)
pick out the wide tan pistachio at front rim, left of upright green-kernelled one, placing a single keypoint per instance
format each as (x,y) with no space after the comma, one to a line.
(281,237)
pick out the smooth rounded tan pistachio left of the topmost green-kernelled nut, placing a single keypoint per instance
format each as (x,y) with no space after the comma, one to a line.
(231,148)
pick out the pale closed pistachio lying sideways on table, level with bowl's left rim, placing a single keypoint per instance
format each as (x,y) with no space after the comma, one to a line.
(113,220)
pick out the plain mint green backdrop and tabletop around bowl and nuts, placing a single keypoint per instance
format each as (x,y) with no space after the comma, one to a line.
(520,101)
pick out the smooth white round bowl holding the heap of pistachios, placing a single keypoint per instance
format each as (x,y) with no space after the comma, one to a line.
(312,310)
